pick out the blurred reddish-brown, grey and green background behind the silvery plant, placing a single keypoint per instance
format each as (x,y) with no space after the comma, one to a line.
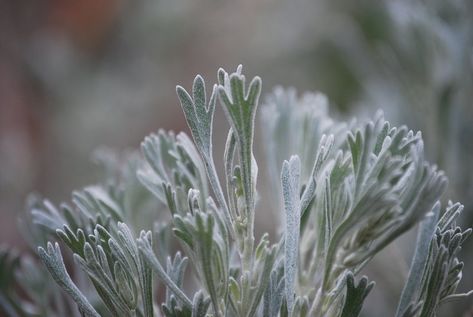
(78,75)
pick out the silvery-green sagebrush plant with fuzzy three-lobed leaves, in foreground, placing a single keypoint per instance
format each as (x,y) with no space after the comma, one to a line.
(343,192)
